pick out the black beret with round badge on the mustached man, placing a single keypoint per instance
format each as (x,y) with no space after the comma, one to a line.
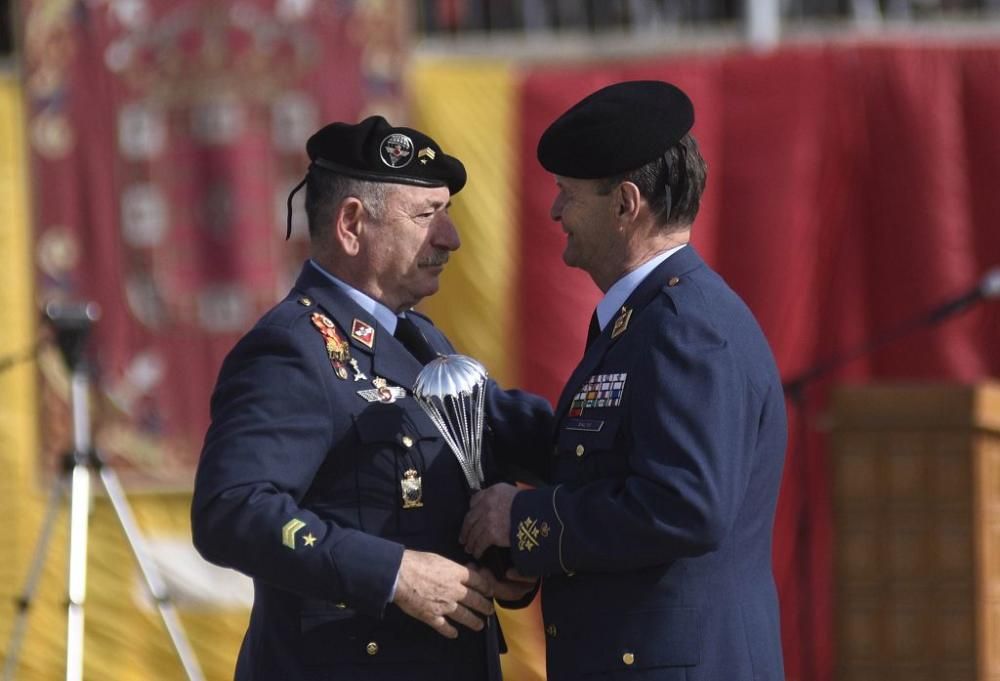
(374,150)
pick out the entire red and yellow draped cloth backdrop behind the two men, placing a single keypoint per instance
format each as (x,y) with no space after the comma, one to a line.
(850,188)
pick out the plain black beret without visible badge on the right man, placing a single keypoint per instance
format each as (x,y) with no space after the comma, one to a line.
(616,129)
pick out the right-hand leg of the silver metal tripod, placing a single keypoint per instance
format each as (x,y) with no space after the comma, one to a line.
(154,581)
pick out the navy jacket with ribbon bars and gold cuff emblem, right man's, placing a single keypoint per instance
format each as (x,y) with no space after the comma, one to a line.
(655,539)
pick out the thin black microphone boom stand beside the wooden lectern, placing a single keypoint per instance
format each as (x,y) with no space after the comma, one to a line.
(795,393)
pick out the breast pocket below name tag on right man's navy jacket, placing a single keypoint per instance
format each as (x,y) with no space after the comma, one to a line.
(588,449)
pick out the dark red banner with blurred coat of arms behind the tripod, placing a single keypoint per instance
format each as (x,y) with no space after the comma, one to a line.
(166,135)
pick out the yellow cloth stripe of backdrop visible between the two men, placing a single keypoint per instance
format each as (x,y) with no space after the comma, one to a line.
(469,108)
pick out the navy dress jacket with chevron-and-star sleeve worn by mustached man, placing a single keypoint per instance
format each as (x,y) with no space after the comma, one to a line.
(300,487)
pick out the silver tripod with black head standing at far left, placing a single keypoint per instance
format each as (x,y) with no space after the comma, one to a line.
(72,325)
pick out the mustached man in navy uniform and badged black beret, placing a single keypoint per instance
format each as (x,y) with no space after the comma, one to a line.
(320,476)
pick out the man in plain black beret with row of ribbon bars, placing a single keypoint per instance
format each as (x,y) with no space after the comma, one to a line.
(654,535)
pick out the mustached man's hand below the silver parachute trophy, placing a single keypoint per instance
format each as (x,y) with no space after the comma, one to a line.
(432,588)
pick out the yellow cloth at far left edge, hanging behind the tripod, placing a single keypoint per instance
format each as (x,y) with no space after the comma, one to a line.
(124,638)
